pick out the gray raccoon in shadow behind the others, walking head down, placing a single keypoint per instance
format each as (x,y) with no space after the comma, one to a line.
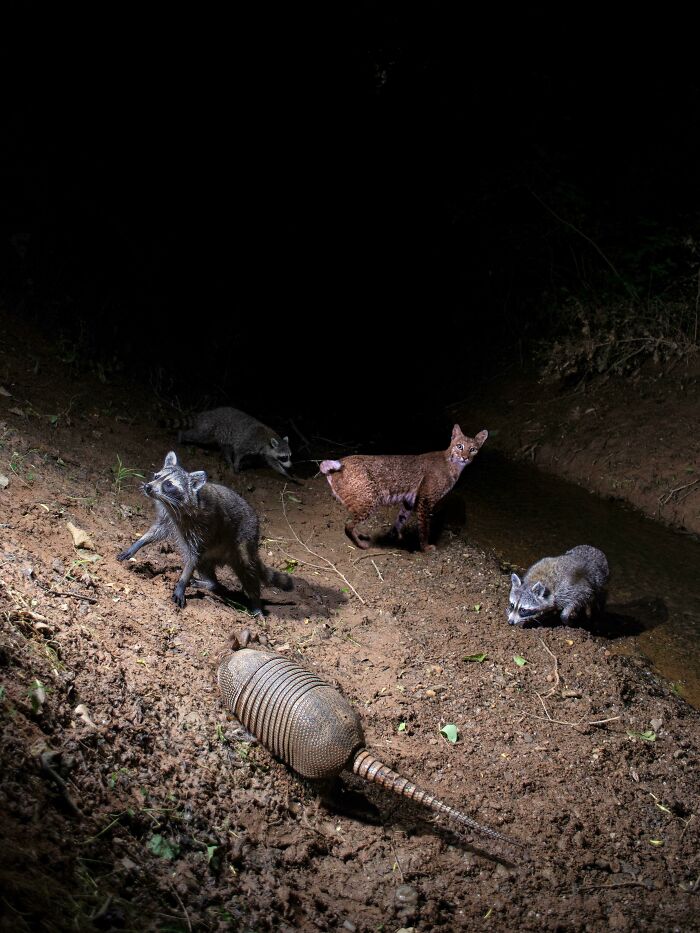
(239,436)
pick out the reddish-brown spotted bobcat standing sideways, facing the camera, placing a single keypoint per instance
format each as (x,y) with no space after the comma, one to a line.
(363,483)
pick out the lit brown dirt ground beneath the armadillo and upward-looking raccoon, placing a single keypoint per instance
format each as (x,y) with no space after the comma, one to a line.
(129,804)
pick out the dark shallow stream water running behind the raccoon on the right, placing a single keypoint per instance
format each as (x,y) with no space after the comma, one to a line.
(521,514)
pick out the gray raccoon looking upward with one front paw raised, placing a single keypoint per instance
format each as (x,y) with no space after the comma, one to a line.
(212,526)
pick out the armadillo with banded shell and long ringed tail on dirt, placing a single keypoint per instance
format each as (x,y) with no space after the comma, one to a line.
(309,725)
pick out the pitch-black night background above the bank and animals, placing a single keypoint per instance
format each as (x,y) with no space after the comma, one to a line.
(348,213)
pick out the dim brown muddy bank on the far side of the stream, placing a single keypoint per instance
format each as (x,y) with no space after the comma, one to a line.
(634,439)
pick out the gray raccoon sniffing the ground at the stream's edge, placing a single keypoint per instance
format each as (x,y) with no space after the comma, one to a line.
(571,584)
